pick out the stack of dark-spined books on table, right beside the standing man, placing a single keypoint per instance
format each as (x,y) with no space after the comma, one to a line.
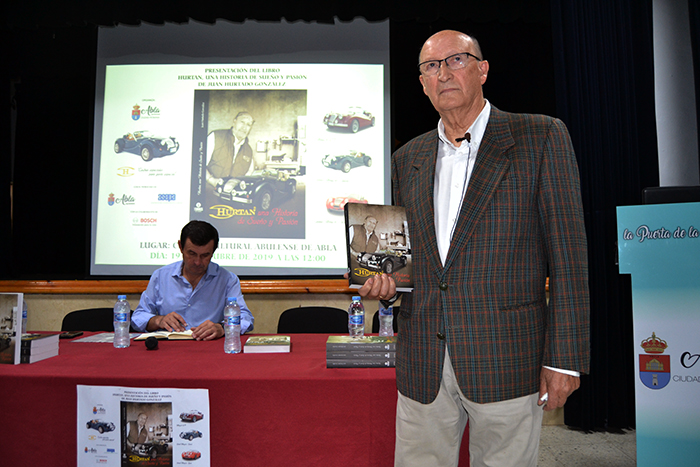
(361,352)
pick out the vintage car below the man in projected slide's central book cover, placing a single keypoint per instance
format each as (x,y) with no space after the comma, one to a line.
(261,189)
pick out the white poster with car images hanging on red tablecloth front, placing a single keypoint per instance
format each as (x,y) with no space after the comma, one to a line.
(123,426)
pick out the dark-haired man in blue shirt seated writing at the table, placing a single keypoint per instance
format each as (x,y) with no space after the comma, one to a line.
(191,294)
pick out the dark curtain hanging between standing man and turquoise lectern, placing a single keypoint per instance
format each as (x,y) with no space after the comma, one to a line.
(605,94)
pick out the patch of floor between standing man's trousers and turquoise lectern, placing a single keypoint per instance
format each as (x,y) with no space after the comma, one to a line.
(564,447)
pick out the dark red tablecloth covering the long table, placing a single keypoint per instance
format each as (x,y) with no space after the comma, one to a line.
(266,409)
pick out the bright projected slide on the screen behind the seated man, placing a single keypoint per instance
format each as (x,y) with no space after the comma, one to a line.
(269,153)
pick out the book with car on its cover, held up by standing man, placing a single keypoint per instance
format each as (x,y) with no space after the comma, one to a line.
(378,242)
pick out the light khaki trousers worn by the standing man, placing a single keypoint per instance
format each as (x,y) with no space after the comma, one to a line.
(501,434)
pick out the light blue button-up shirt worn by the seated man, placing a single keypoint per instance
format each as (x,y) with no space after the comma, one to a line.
(168,291)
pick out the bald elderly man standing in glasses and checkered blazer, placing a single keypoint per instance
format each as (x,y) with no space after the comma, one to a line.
(478,341)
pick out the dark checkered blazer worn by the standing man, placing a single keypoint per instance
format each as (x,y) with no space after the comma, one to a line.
(521,220)
